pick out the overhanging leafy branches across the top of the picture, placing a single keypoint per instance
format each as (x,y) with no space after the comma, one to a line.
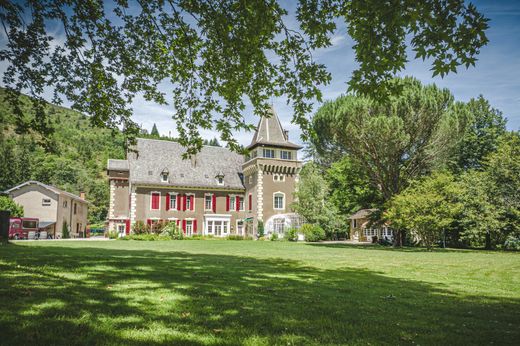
(216,55)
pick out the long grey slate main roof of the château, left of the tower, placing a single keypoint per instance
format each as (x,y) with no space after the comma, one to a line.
(153,156)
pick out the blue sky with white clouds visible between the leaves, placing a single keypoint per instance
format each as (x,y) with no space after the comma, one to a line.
(496,75)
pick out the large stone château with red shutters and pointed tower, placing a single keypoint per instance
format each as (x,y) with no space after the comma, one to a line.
(216,192)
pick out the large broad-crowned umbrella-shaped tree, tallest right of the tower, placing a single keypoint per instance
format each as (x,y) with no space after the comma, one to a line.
(394,142)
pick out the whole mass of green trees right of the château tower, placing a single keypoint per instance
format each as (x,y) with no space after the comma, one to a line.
(437,171)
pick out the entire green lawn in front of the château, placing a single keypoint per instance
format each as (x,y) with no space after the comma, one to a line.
(254,293)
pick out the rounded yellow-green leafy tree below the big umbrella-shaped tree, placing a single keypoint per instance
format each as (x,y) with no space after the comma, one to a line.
(426,208)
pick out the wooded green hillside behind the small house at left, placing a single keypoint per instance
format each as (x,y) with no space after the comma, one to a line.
(72,156)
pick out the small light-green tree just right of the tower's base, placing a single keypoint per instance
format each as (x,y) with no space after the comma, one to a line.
(310,200)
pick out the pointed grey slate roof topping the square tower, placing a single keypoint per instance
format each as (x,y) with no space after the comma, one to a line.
(270,132)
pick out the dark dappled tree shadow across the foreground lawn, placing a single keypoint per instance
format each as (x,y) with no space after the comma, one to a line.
(69,296)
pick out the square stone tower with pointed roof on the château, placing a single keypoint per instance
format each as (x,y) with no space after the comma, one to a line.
(270,175)
